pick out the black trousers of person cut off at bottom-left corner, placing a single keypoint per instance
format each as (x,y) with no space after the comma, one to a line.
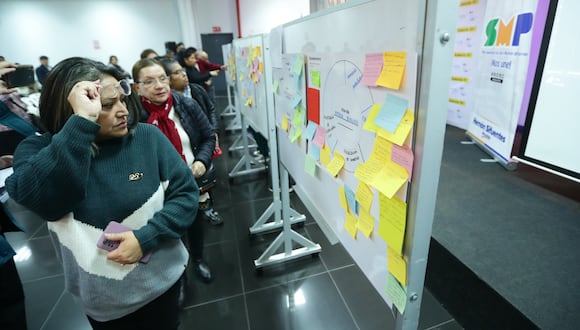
(12,312)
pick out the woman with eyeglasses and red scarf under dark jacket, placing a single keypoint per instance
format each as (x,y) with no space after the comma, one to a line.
(185,124)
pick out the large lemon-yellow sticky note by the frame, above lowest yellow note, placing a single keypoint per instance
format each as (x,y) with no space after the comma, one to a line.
(392,222)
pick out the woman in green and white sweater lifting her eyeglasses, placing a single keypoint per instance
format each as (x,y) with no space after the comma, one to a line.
(94,166)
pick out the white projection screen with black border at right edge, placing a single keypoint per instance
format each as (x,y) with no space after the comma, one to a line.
(551,132)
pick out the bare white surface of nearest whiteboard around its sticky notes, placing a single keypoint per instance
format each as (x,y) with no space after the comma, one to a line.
(342,48)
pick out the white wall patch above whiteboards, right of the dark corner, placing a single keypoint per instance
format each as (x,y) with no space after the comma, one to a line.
(260,16)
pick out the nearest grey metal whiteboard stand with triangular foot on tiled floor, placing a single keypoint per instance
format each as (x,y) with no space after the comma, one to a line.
(287,236)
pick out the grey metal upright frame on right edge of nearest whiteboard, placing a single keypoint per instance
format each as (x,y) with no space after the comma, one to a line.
(435,56)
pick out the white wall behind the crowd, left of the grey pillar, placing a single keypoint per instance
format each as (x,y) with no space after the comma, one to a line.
(64,28)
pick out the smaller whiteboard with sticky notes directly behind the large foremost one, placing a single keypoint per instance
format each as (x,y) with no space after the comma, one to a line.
(252,80)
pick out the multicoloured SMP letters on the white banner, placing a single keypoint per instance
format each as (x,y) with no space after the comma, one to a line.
(500,34)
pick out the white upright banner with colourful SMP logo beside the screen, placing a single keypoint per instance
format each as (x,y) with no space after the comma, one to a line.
(501,74)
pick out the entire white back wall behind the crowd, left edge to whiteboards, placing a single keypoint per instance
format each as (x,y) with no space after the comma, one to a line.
(65,28)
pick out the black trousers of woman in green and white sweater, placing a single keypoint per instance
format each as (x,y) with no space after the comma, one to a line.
(161,313)
